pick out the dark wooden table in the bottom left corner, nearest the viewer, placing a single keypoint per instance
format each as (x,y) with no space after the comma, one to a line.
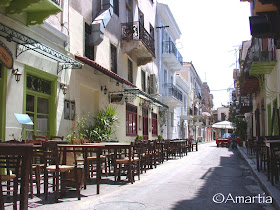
(25,150)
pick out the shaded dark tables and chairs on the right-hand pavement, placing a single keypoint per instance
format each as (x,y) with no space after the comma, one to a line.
(267,152)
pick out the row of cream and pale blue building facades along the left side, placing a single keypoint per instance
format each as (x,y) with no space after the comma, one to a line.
(64,61)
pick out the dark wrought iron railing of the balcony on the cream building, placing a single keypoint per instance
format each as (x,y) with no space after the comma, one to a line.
(134,31)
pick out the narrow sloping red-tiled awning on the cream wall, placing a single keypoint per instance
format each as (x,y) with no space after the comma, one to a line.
(104,70)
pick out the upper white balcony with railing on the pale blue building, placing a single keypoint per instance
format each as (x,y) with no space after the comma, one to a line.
(171,56)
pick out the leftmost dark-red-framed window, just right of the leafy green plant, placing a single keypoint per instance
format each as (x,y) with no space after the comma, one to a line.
(131,120)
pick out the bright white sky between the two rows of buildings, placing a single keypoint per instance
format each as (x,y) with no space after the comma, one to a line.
(212,31)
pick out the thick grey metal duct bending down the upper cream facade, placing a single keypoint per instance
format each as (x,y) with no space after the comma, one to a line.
(100,22)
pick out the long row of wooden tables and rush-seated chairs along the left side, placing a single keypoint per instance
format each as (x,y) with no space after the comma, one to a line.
(55,164)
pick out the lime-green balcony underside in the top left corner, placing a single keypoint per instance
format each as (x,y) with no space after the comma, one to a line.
(31,12)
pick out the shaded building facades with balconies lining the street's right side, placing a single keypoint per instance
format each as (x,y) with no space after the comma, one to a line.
(257,81)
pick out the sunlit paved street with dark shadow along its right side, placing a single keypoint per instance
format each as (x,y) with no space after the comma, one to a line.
(188,183)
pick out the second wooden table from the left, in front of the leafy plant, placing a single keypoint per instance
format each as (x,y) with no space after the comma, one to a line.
(85,148)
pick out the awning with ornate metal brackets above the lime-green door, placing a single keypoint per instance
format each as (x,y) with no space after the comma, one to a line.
(26,43)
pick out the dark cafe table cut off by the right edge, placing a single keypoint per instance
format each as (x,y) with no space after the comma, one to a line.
(271,144)
